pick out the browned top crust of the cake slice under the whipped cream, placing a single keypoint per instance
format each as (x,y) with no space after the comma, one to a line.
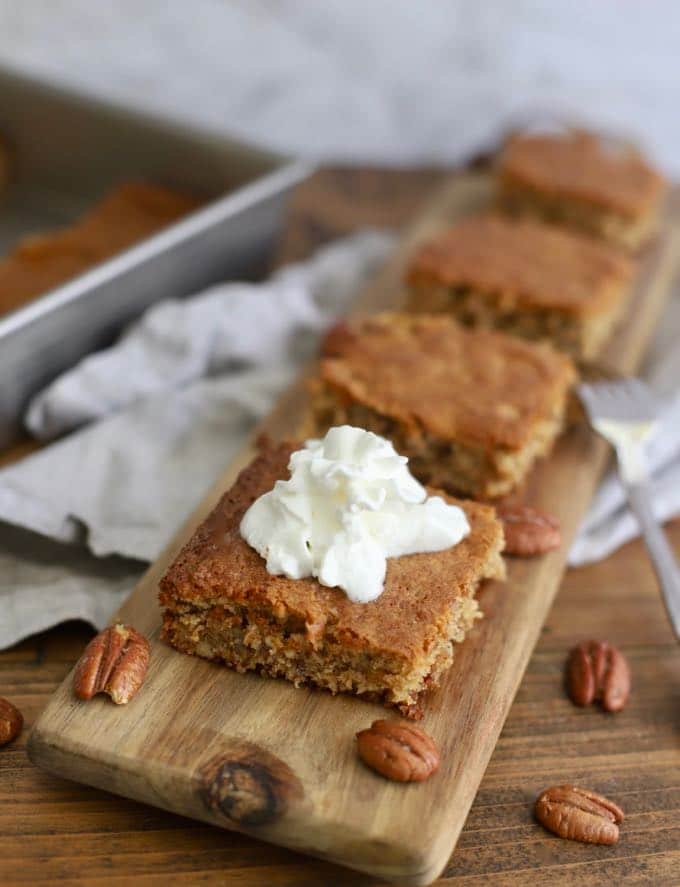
(217,565)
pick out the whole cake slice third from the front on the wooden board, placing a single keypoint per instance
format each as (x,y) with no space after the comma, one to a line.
(523,277)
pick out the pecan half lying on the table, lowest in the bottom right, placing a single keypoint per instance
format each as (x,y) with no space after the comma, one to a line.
(579,814)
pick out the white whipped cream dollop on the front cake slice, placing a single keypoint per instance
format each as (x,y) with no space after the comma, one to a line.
(350,503)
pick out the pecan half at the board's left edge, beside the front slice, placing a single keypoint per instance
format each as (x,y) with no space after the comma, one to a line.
(114,662)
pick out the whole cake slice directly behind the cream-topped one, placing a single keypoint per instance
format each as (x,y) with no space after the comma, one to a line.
(472,409)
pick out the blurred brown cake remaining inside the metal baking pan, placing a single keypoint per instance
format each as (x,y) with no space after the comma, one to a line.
(130,213)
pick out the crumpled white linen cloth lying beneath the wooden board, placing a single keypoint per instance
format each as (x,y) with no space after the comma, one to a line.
(155,418)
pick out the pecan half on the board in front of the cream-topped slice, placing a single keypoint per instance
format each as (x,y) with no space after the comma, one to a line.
(398,751)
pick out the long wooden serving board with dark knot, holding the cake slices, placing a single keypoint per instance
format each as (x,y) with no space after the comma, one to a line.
(262,757)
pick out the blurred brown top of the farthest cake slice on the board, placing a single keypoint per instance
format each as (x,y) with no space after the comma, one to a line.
(582,166)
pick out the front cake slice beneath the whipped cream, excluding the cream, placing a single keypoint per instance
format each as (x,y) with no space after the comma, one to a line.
(220,602)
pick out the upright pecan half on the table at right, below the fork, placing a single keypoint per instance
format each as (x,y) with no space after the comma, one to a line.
(597,671)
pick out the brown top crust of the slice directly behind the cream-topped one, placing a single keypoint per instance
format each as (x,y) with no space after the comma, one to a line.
(429,373)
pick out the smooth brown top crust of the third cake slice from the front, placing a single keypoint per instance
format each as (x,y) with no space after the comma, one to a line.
(530,264)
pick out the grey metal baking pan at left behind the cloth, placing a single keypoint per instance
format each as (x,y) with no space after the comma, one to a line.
(67,151)
